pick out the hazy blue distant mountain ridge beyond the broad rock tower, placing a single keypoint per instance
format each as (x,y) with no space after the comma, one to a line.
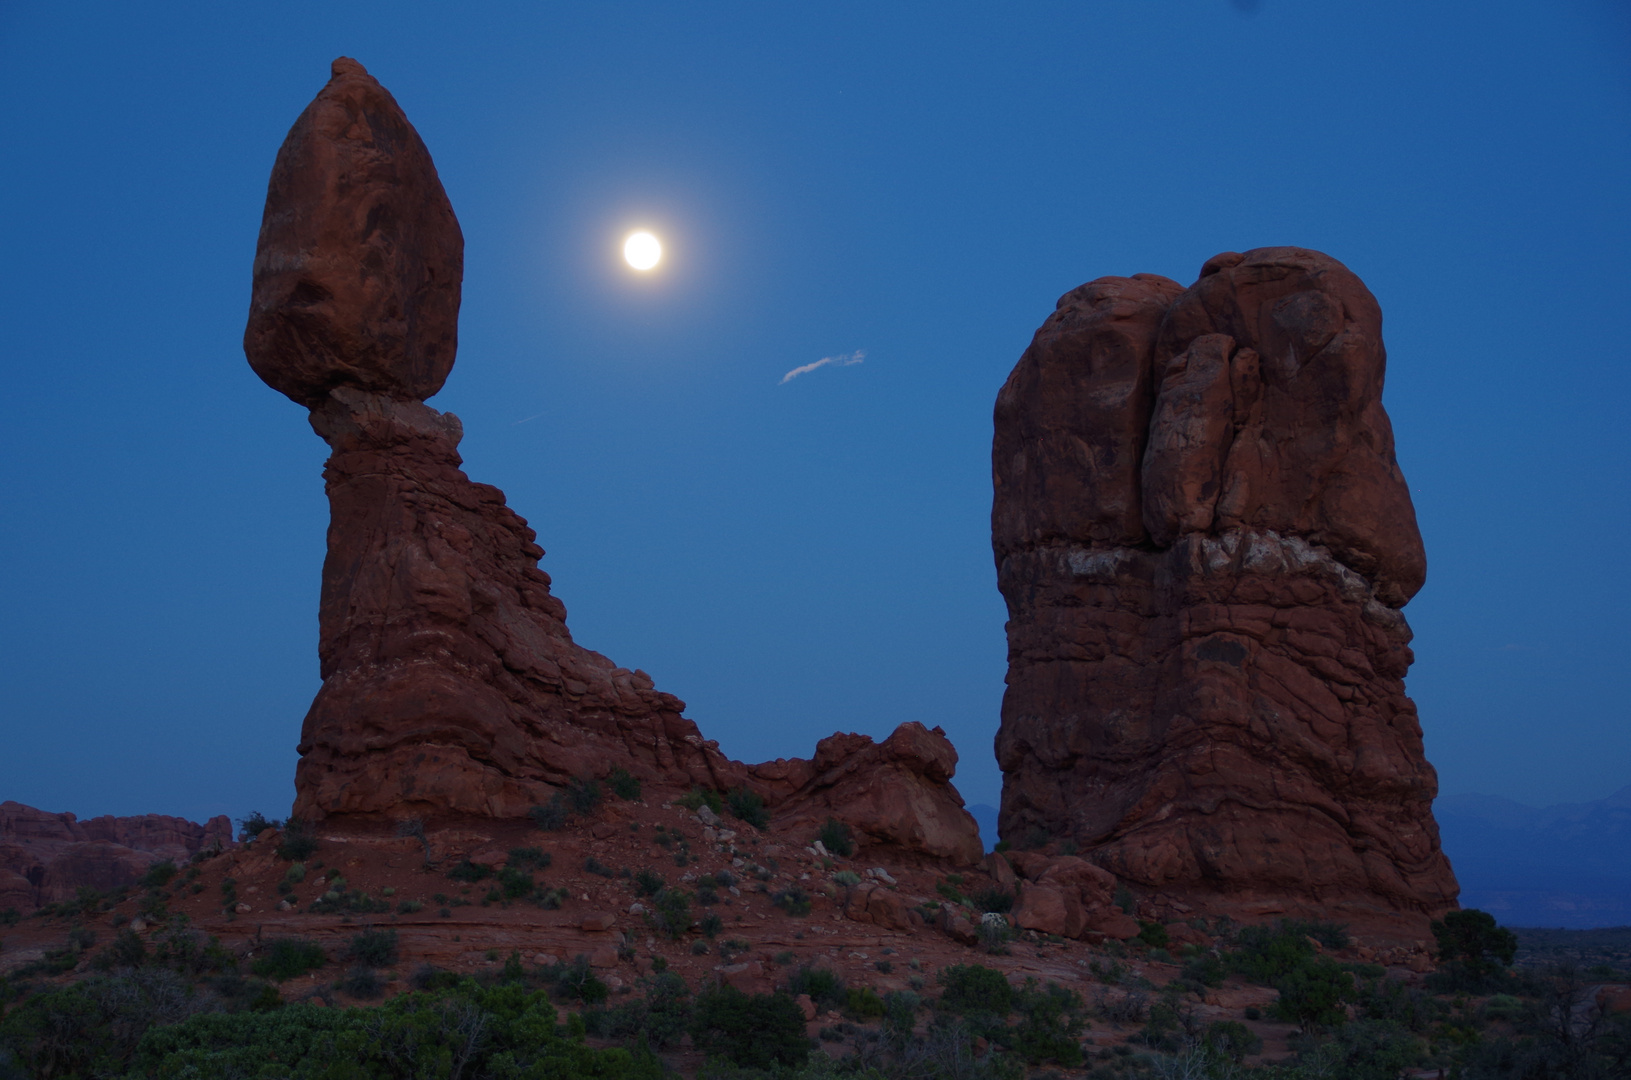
(1567,865)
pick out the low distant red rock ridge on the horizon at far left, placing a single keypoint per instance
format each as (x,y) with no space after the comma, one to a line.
(51,857)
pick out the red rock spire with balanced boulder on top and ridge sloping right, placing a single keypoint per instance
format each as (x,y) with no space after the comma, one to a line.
(451,683)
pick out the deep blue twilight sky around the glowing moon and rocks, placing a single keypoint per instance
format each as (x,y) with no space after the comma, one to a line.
(919,182)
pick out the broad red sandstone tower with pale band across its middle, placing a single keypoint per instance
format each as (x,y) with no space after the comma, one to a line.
(1204,542)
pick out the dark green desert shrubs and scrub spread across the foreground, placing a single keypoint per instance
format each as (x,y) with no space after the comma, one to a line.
(179,1006)
